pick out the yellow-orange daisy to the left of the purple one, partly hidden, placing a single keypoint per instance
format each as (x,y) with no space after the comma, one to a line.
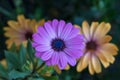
(20,31)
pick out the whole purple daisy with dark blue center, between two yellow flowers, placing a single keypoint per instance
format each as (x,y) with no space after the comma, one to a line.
(58,43)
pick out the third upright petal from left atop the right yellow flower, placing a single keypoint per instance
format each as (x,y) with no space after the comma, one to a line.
(98,31)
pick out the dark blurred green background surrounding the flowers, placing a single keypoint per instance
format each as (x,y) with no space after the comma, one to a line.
(74,11)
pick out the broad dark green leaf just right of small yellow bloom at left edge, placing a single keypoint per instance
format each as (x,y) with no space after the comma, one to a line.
(12,58)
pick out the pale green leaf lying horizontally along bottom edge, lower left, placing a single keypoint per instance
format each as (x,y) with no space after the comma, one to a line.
(16,74)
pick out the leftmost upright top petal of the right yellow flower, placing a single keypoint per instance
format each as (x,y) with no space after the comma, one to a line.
(86,30)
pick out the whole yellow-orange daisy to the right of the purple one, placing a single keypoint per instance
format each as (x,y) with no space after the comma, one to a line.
(98,50)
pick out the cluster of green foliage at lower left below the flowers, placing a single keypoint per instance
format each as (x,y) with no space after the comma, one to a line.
(22,65)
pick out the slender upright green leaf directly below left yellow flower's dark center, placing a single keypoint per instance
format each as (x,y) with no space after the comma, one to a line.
(30,51)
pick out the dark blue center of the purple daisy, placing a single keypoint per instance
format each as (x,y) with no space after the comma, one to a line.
(58,45)
